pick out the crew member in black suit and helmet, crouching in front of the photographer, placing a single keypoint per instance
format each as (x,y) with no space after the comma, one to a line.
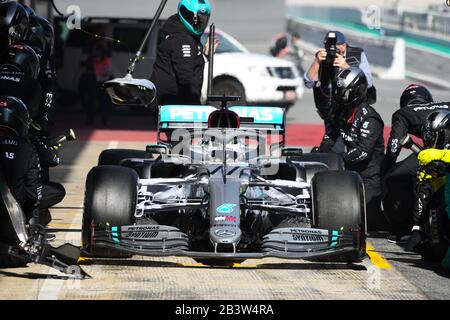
(361,129)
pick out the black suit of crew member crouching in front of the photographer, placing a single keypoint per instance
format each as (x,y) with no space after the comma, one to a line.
(362,133)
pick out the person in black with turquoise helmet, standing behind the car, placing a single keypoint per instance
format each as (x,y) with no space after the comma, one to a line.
(178,69)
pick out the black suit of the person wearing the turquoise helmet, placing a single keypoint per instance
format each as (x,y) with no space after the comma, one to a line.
(178,69)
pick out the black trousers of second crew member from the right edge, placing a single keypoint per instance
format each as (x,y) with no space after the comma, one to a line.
(399,195)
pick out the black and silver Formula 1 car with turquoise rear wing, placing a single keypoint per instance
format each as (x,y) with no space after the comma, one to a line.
(221,187)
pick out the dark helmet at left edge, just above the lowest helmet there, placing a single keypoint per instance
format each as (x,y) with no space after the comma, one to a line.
(21,58)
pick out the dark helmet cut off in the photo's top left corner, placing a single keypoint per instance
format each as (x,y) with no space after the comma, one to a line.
(13,23)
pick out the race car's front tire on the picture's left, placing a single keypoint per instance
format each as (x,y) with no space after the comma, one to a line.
(110,200)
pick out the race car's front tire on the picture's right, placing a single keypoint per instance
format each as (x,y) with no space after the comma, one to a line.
(338,204)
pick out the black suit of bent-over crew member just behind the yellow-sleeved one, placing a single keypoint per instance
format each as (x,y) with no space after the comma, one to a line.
(399,179)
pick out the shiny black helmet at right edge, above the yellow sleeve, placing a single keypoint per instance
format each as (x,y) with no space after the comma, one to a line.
(436,131)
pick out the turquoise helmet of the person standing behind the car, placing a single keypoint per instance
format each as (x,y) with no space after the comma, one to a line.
(194,14)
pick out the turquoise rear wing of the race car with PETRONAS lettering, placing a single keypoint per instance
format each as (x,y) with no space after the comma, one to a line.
(173,117)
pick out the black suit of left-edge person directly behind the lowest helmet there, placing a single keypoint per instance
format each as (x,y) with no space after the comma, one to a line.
(29,90)
